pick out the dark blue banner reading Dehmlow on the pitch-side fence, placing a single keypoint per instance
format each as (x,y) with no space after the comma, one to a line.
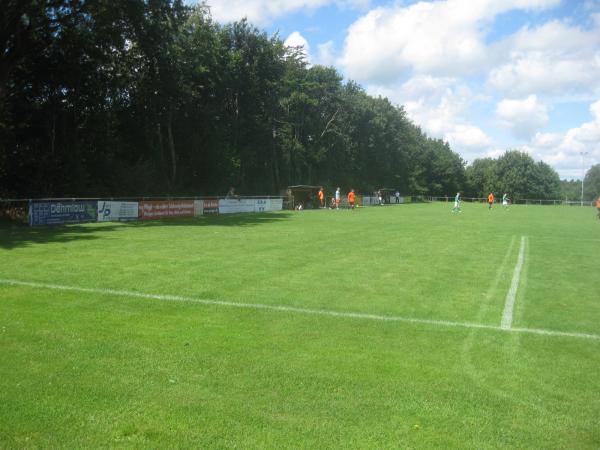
(61,212)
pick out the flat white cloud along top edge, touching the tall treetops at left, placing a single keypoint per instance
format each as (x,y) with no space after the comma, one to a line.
(262,12)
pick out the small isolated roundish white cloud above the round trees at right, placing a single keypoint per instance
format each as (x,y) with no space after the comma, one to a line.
(522,117)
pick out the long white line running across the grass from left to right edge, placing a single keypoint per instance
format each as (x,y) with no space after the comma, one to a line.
(291,309)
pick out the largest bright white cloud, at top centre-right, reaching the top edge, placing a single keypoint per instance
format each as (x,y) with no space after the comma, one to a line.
(437,37)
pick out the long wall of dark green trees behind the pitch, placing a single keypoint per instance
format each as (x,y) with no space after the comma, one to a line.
(153,97)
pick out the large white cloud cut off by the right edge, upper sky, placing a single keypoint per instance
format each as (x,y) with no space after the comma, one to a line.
(553,59)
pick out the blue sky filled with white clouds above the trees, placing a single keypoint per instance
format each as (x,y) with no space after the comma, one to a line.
(485,75)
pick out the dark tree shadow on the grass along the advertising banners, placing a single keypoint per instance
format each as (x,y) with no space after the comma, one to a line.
(21,235)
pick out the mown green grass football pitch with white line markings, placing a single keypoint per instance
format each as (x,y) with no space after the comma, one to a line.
(376,328)
